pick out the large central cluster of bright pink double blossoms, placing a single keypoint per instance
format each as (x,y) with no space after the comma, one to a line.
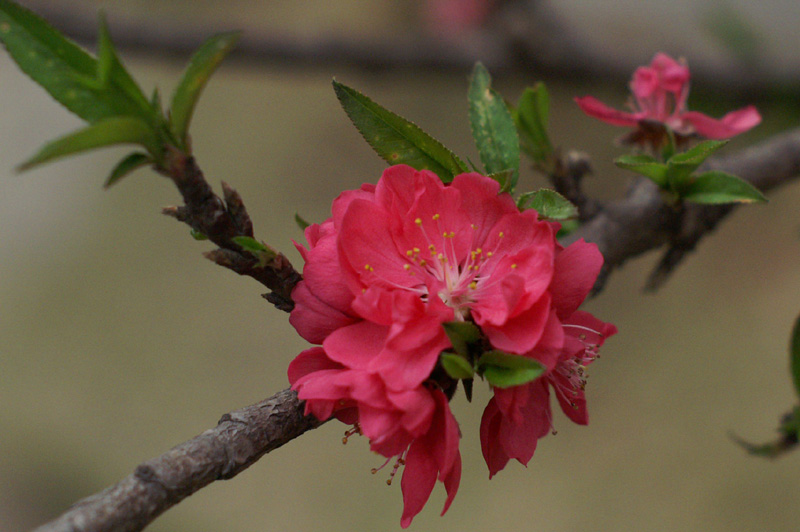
(397,261)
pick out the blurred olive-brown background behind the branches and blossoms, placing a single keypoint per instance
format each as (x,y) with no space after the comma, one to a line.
(118,340)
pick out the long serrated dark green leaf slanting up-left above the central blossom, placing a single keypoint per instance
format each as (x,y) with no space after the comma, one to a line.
(395,139)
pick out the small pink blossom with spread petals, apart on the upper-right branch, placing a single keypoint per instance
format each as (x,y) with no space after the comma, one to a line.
(660,92)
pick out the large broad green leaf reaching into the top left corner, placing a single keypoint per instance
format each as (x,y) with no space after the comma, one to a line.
(64,70)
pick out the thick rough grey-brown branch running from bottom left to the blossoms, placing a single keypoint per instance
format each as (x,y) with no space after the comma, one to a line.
(240,438)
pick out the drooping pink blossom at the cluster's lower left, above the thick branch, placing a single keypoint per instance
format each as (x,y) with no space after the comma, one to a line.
(415,426)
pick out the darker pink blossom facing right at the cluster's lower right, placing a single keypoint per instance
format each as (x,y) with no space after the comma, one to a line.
(517,417)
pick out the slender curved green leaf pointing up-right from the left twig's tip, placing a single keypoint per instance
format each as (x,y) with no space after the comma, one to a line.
(202,65)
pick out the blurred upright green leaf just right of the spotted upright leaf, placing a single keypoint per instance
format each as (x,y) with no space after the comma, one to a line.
(531,117)
